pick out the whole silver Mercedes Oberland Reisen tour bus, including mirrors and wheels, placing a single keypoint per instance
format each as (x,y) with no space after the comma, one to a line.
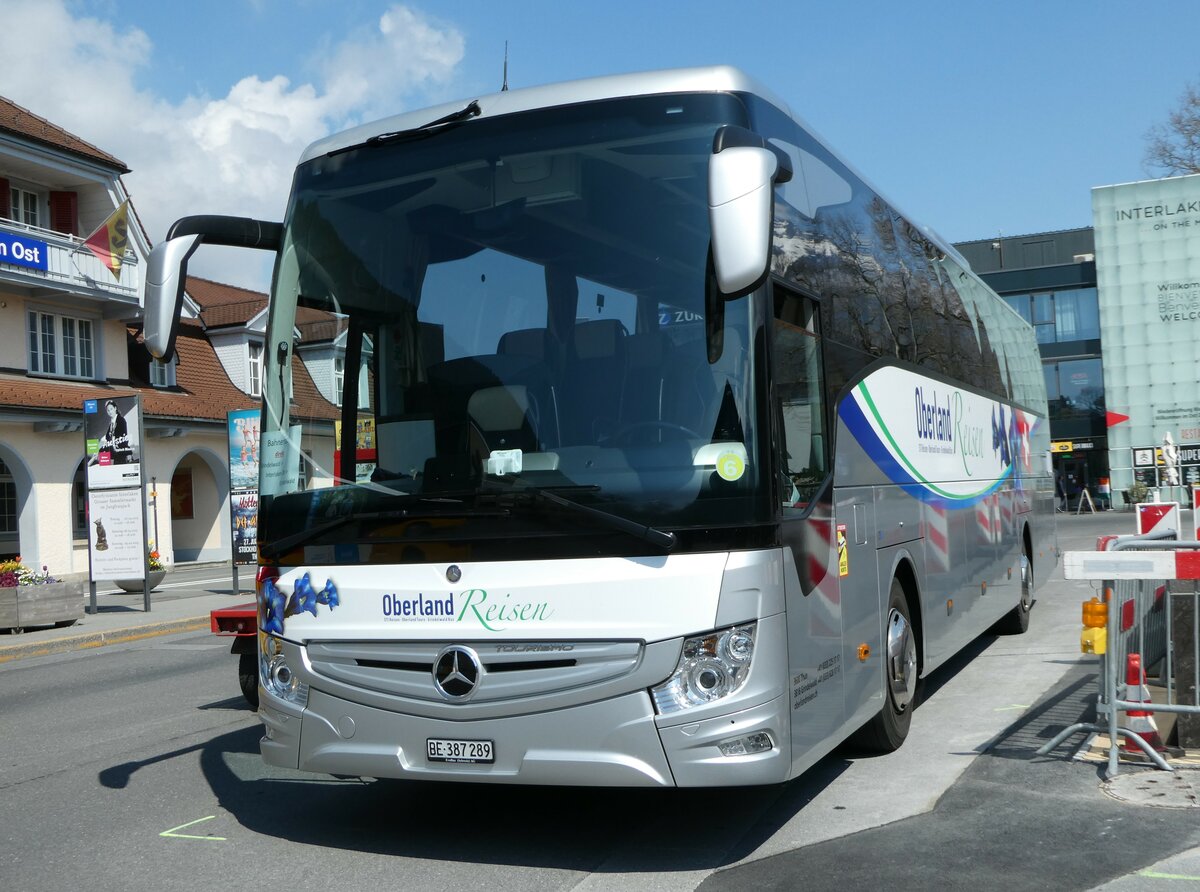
(661,451)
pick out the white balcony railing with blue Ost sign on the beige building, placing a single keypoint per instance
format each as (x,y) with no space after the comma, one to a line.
(45,260)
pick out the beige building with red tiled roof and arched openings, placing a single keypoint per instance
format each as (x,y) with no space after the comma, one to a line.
(70,332)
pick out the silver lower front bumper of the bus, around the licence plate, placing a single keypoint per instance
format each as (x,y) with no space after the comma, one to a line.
(609,744)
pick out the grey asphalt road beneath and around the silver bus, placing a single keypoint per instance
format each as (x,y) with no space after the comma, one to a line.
(136,767)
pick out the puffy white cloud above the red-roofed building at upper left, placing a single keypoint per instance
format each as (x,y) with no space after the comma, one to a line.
(203,155)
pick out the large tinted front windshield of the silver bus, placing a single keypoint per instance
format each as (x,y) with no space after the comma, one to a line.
(514,304)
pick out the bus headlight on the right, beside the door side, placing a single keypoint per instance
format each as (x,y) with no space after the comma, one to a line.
(711,667)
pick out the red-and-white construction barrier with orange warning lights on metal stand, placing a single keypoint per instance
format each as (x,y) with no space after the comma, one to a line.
(1129,626)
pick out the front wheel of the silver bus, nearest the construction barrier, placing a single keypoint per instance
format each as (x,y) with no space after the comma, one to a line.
(889,729)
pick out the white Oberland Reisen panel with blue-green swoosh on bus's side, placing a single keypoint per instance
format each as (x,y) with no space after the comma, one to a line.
(941,444)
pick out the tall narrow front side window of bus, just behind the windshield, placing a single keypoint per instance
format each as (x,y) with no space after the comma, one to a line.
(800,386)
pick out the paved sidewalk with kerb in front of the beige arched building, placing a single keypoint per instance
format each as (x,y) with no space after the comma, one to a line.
(176,607)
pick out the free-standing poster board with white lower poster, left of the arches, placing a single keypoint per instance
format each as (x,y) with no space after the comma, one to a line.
(117,516)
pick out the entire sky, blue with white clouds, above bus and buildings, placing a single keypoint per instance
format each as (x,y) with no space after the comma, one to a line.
(976,118)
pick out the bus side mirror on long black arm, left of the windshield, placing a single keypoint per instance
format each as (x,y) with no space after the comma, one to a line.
(167,271)
